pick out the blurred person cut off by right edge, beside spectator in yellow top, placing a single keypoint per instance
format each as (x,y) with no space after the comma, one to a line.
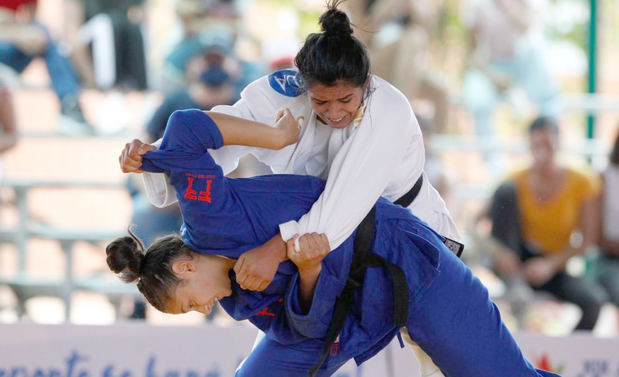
(607,267)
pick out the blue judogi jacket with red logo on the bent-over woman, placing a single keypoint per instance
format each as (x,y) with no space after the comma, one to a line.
(228,216)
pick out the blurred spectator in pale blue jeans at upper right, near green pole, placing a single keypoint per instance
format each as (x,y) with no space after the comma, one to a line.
(504,54)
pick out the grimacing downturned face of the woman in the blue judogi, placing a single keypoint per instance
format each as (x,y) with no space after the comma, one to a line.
(204,279)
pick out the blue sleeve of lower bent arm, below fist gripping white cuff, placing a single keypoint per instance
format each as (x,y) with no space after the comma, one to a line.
(315,322)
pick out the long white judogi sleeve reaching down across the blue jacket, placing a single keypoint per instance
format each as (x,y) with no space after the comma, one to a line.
(364,166)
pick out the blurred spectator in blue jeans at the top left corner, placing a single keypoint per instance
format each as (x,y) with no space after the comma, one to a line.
(22,39)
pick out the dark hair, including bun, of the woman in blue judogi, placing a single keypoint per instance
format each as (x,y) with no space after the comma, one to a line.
(151,268)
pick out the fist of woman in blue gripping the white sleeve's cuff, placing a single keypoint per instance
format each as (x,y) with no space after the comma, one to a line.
(309,251)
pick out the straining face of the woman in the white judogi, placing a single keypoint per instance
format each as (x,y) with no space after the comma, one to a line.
(336,104)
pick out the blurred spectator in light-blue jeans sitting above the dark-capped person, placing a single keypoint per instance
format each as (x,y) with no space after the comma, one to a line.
(207,25)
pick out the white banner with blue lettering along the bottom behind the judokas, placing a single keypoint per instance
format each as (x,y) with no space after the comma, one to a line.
(141,350)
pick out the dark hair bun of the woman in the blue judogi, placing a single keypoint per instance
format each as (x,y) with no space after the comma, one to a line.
(124,258)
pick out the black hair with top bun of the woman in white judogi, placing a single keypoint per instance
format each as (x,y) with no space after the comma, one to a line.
(334,54)
